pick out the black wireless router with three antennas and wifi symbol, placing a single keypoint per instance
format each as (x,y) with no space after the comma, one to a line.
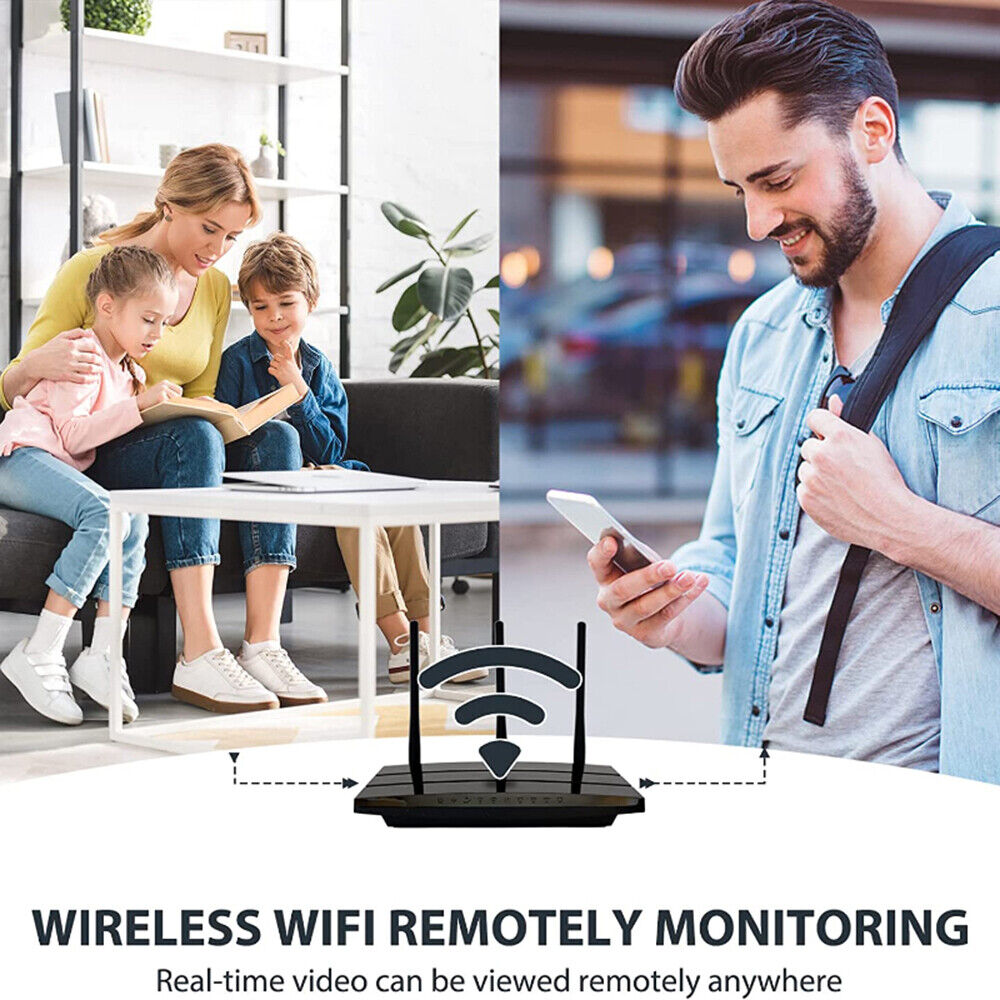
(507,793)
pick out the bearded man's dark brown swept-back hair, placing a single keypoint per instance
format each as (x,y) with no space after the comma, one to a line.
(823,60)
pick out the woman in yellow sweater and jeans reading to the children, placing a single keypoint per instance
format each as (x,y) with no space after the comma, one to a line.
(205,200)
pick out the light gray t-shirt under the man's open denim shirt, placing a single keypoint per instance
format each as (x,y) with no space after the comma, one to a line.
(885,704)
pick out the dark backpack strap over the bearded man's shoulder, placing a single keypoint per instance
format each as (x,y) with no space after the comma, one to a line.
(931,285)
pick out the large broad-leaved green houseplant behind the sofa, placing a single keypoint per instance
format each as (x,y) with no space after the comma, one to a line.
(440,299)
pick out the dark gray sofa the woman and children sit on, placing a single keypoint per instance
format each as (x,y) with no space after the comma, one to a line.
(430,428)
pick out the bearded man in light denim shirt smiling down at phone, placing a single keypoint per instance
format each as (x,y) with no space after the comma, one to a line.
(802,114)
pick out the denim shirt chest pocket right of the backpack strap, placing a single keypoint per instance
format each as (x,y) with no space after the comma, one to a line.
(963,424)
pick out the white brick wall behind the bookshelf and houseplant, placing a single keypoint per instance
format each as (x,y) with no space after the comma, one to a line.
(424,91)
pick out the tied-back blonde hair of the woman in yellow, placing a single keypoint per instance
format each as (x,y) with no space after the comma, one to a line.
(198,180)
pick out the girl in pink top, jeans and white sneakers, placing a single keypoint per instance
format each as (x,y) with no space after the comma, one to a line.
(46,442)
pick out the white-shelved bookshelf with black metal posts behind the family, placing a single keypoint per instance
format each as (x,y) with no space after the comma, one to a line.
(88,45)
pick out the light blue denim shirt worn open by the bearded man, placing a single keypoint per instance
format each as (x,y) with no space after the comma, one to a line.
(941,424)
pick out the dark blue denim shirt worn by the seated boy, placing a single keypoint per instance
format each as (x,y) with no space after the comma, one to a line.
(320,417)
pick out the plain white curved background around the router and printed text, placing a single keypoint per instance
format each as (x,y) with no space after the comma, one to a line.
(822,833)
